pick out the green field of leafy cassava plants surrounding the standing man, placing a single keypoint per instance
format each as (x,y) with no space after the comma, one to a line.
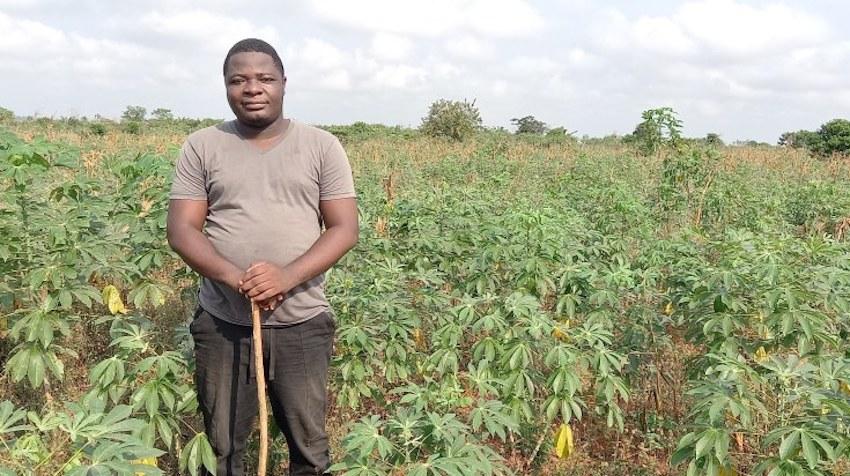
(685,312)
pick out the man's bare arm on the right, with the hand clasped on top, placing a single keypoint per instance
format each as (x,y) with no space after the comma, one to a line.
(264,280)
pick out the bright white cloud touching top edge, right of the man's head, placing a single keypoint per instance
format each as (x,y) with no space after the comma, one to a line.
(494,18)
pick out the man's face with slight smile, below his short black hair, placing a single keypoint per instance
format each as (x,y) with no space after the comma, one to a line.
(254,88)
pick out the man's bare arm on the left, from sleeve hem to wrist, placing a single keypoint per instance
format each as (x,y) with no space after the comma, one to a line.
(185,236)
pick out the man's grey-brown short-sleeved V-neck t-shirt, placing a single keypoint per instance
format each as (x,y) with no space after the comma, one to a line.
(262,206)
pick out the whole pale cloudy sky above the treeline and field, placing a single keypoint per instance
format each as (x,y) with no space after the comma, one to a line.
(745,69)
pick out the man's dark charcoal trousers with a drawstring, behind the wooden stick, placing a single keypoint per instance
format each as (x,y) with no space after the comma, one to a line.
(296,360)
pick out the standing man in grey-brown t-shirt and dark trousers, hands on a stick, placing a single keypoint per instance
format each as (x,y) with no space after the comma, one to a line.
(247,206)
